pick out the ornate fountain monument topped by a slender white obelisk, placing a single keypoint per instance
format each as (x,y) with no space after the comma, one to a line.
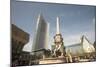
(59,49)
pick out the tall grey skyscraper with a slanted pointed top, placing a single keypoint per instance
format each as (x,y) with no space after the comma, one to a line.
(41,36)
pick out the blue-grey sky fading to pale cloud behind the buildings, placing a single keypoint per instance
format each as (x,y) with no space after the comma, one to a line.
(75,20)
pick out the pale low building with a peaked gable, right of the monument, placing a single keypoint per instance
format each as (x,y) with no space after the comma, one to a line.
(83,47)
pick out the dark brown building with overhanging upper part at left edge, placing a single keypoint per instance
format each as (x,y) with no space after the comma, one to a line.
(18,39)
